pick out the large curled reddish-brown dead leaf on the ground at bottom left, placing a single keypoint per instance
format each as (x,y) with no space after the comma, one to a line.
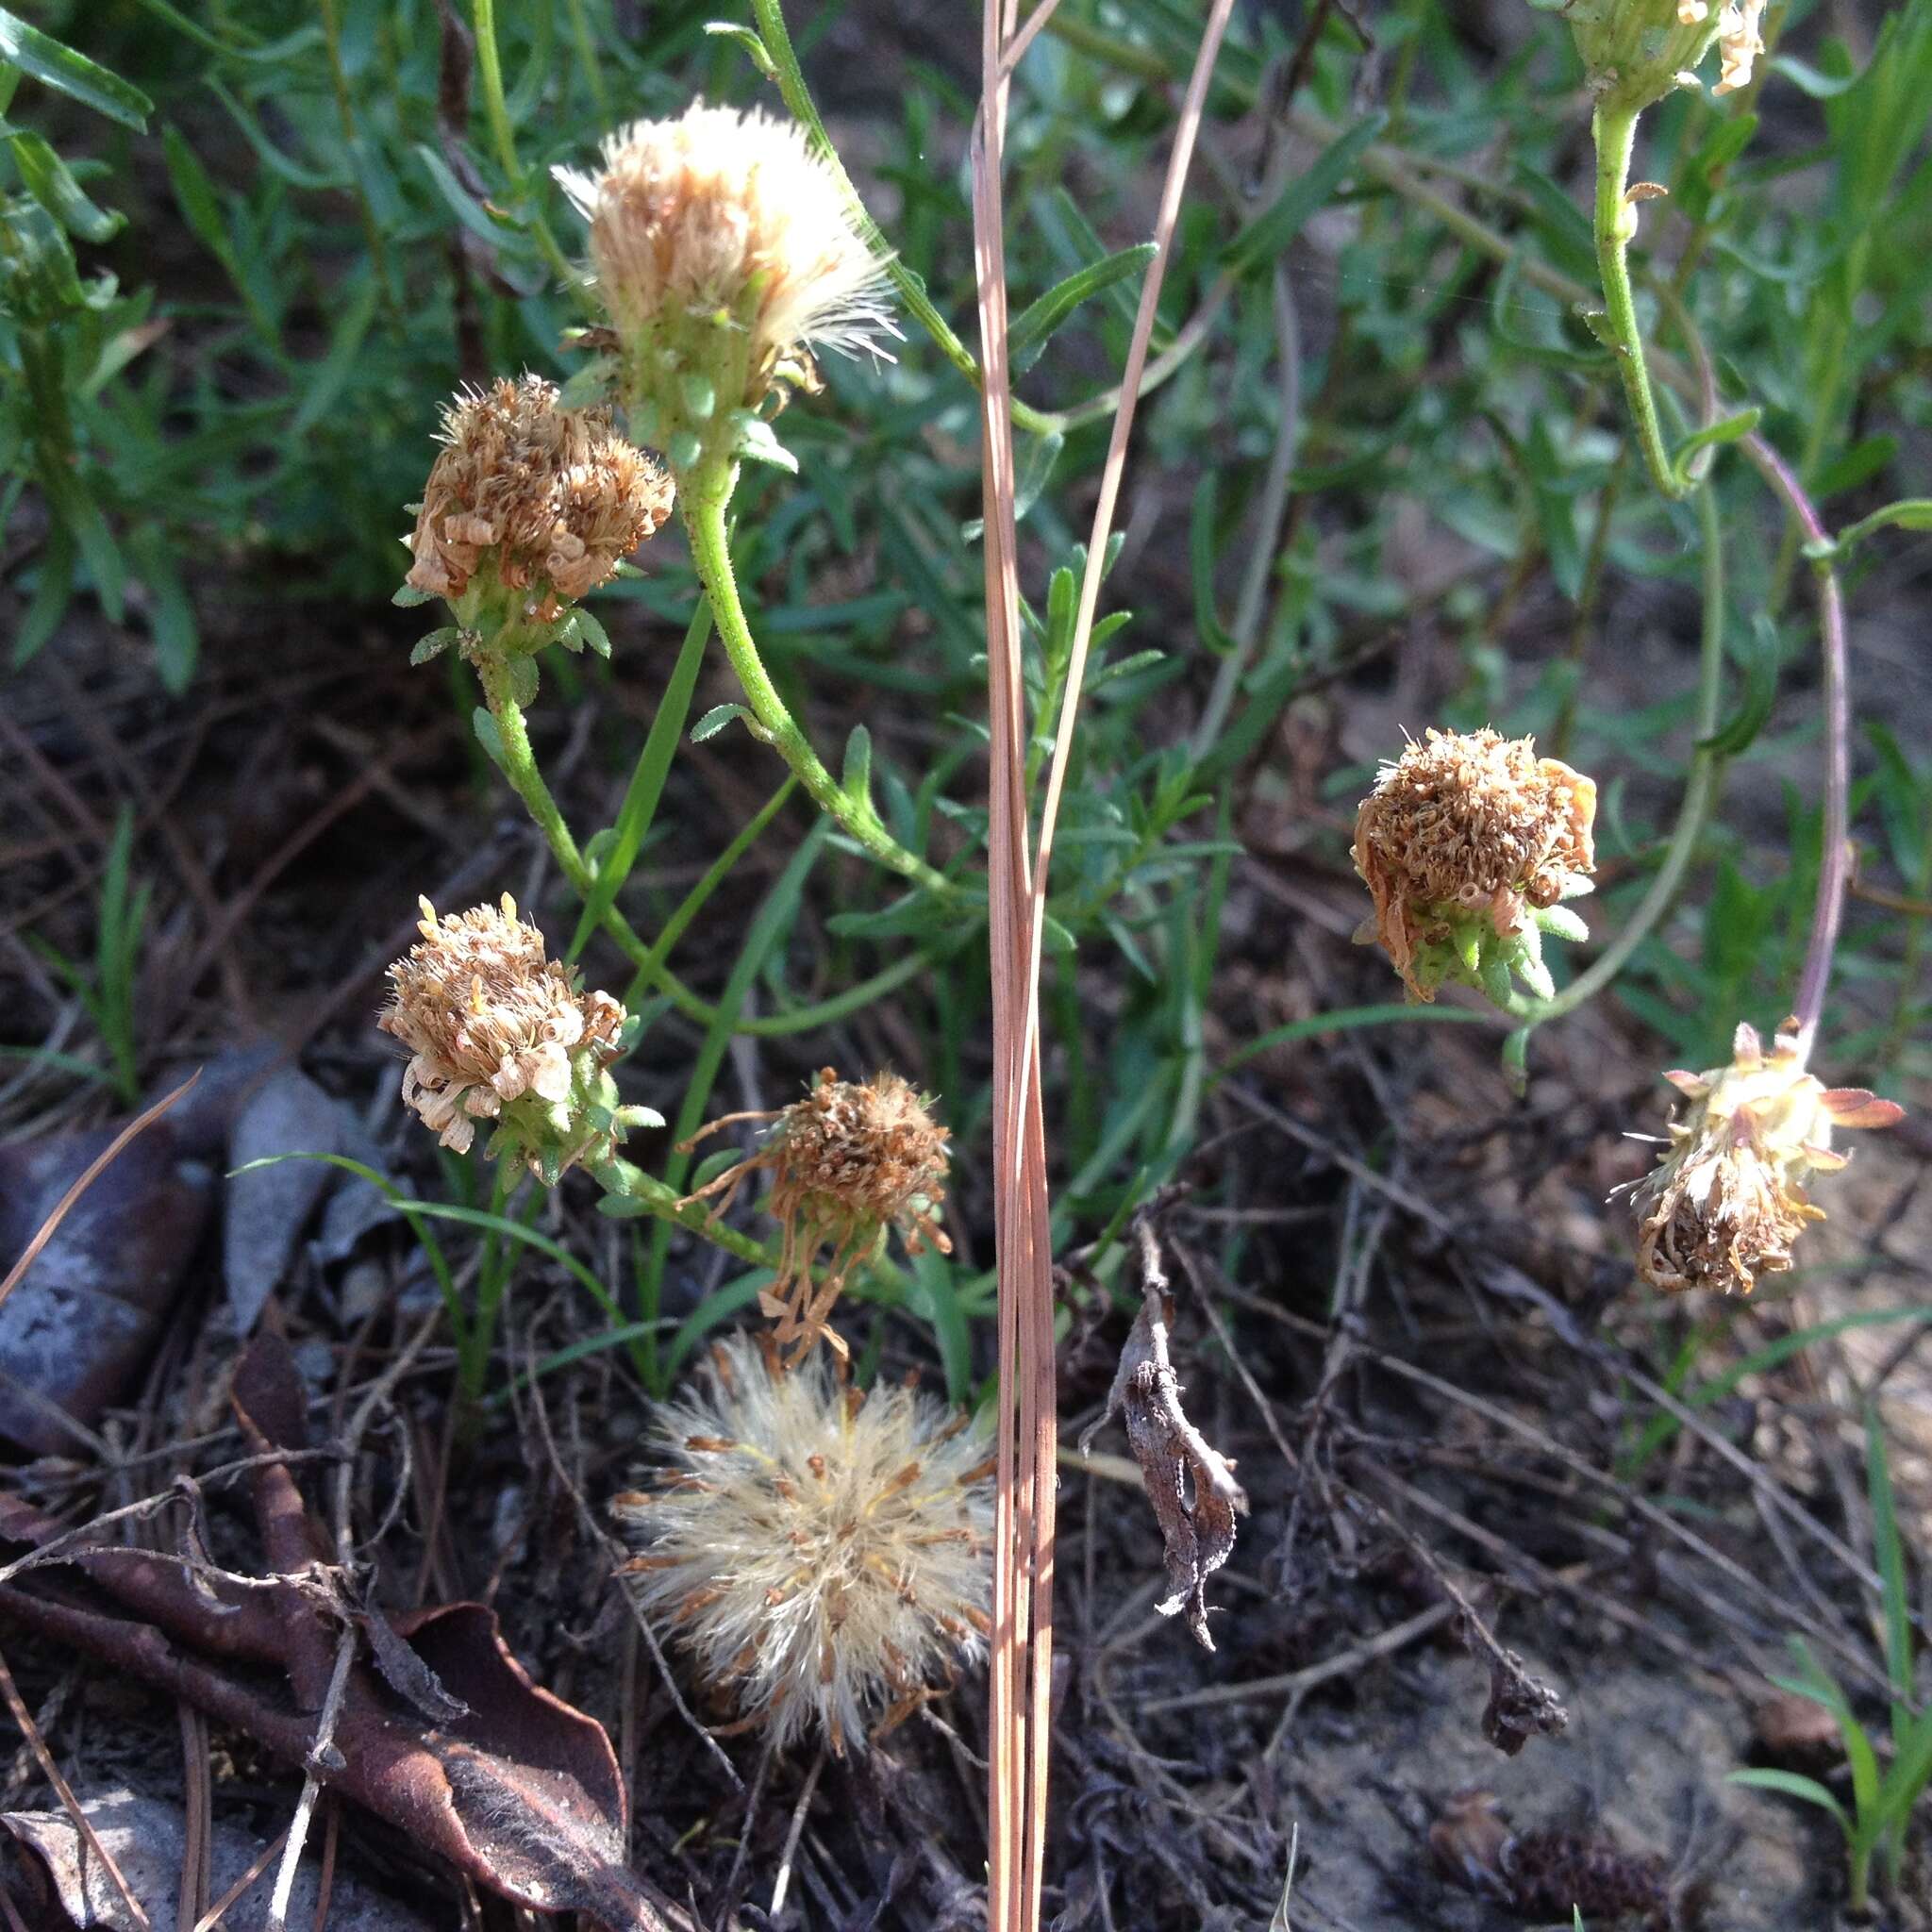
(455,1746)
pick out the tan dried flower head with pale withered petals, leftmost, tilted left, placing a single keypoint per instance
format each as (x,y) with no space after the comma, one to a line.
(497,1031)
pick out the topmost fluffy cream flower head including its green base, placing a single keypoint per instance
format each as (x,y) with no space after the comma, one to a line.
(725,252)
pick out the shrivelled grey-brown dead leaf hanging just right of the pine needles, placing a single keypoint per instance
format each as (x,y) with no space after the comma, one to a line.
(1189,1481)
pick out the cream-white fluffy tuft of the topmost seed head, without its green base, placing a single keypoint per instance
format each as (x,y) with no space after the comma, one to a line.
(731,212)
